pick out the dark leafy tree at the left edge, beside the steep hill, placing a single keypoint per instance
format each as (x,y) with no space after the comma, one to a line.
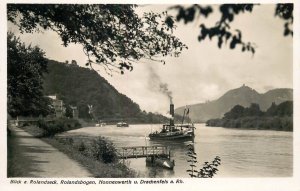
(25,68)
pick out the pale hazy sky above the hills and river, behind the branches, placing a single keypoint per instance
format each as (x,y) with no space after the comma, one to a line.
(203,72)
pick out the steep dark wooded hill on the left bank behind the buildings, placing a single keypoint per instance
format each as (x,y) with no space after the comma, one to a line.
(78,86)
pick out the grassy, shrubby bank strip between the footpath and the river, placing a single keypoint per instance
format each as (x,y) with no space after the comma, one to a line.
(84,152)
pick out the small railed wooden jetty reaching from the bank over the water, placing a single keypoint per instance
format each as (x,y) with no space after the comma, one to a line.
(143,151)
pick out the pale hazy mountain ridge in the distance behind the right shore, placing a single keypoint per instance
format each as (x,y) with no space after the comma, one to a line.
(243,95)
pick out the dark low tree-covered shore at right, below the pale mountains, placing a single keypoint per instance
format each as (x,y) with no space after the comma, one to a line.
(276,117)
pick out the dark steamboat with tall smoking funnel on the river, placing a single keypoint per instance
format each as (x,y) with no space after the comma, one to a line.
(174,132)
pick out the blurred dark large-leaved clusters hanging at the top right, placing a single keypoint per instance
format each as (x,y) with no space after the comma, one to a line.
(222,30)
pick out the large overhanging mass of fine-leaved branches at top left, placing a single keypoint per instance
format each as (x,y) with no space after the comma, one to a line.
(112,35)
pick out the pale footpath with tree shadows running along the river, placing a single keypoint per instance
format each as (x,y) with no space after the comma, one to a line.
(31,157)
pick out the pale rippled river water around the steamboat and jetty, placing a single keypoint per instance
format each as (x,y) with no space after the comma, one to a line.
(243,153)
